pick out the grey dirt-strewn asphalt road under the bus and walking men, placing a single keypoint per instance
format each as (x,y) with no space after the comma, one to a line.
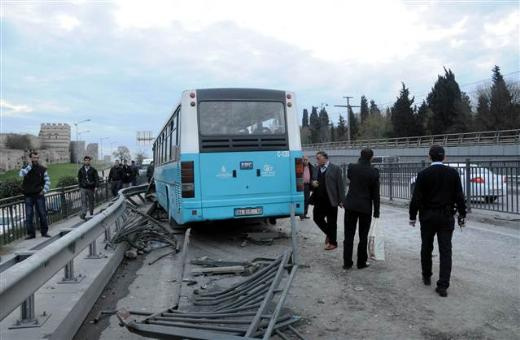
(385,301)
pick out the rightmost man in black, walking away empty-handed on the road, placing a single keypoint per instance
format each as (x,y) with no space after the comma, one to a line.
(437,194)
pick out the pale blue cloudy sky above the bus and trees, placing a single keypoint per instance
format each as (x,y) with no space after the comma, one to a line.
(123,64)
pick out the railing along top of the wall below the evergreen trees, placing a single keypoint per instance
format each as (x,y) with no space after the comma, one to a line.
(454,139)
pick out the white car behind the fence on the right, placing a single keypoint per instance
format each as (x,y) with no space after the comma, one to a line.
(485,185)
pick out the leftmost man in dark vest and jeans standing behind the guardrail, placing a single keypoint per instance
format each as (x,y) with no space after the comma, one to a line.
(36,182)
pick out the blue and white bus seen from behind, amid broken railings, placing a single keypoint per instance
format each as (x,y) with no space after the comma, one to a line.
(230,154)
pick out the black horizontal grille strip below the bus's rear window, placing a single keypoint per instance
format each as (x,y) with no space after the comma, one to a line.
(218,144)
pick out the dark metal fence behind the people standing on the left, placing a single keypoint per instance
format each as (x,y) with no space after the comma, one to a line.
(60,203)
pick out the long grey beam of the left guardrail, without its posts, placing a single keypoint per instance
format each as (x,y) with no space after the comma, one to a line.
(21,280)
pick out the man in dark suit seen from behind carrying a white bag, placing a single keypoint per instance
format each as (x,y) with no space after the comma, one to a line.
(363,193)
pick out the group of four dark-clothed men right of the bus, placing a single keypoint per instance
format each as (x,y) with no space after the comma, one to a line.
(437,197)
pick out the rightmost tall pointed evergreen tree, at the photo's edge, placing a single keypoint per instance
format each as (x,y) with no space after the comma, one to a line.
(500,103)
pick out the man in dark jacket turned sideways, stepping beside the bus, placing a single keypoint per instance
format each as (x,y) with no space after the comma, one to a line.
(328,194)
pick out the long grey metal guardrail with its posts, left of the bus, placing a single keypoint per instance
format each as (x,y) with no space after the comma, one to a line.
(22,276)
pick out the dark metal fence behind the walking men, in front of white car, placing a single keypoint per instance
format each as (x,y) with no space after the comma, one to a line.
(491,185)
